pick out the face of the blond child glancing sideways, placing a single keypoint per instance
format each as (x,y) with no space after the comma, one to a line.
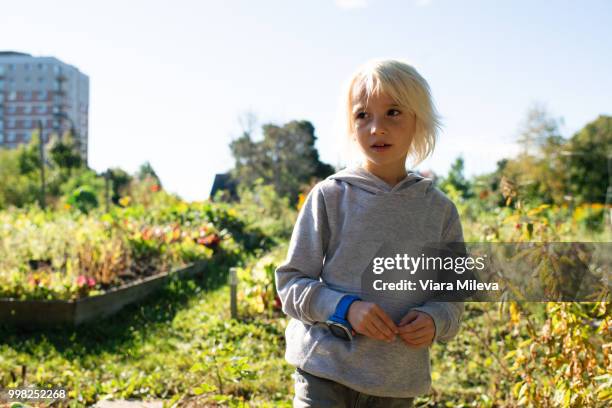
(382,121)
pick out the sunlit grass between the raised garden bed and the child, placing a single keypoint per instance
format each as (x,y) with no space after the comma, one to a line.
(177,344)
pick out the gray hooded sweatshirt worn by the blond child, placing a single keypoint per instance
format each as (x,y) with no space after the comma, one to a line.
(343,223)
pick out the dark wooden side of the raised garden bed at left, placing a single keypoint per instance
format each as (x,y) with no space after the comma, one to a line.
(48,313)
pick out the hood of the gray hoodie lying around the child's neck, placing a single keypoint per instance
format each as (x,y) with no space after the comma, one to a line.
(413,184)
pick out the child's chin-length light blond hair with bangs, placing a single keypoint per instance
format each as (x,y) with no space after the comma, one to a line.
(407,88)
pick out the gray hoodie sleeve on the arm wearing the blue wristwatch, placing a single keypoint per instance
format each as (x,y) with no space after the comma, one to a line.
(303,295)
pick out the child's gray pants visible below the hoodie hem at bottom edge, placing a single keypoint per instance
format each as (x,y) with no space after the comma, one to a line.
(313,391)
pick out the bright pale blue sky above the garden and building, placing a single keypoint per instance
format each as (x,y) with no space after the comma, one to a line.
(169,80)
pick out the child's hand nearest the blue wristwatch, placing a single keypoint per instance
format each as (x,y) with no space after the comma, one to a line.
(370,320)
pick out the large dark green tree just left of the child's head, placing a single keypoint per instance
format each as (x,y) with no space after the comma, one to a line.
(286,158)
